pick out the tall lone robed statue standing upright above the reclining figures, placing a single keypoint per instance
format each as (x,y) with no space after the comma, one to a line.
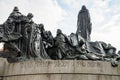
(84,24)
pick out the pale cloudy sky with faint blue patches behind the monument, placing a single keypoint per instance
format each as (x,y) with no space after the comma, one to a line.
(62,14)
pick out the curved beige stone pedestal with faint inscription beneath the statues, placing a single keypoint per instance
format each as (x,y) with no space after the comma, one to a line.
(59,70)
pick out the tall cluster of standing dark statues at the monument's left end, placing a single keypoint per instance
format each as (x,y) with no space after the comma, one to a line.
(22,38)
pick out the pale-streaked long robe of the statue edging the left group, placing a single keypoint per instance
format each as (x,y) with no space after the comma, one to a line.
(36,47)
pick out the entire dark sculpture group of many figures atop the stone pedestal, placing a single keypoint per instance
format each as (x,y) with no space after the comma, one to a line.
(26,40)
